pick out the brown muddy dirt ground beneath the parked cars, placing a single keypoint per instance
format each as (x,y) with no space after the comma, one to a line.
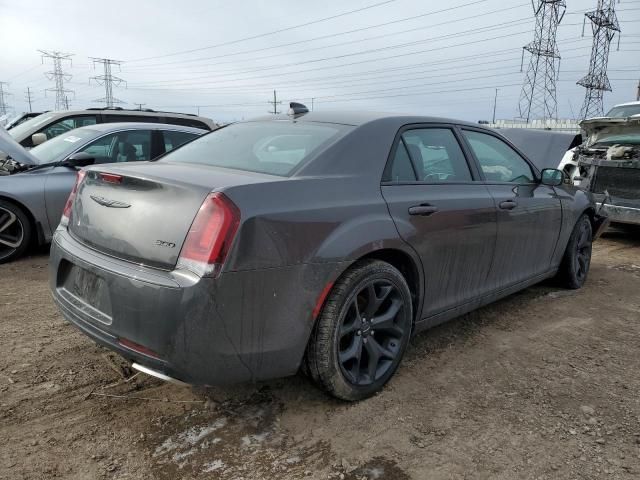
(544,384)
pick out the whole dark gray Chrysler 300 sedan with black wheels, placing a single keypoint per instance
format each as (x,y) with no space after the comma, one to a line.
(319,241)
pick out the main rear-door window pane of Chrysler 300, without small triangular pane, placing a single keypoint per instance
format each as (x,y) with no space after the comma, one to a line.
(437,155)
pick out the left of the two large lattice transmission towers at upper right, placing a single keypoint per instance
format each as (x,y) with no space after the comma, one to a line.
(538,97)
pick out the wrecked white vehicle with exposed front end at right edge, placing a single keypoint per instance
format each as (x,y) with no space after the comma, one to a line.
(609,166)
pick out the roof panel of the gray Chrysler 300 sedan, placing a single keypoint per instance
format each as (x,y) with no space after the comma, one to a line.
(358,118)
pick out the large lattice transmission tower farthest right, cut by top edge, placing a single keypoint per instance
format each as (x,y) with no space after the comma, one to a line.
(604,24)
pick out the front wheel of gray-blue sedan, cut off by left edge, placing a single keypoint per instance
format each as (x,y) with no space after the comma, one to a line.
(15,231)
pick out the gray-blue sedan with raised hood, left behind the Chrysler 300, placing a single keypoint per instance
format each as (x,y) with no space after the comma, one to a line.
(35,184)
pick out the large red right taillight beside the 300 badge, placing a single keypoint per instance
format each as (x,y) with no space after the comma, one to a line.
(210,236)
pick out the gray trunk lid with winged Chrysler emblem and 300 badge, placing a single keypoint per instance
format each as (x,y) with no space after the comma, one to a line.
(143,212)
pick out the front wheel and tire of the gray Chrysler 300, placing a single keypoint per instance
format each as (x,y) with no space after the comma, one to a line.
(574,268)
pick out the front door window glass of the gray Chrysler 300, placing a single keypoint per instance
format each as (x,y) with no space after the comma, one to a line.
(498,161)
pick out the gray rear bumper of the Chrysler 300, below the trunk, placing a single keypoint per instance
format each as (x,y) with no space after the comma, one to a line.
(241,326)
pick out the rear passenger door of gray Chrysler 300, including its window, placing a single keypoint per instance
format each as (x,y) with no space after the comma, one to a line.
(446,216)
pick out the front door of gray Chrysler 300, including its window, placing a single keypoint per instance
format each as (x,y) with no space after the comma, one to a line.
(529,213)
